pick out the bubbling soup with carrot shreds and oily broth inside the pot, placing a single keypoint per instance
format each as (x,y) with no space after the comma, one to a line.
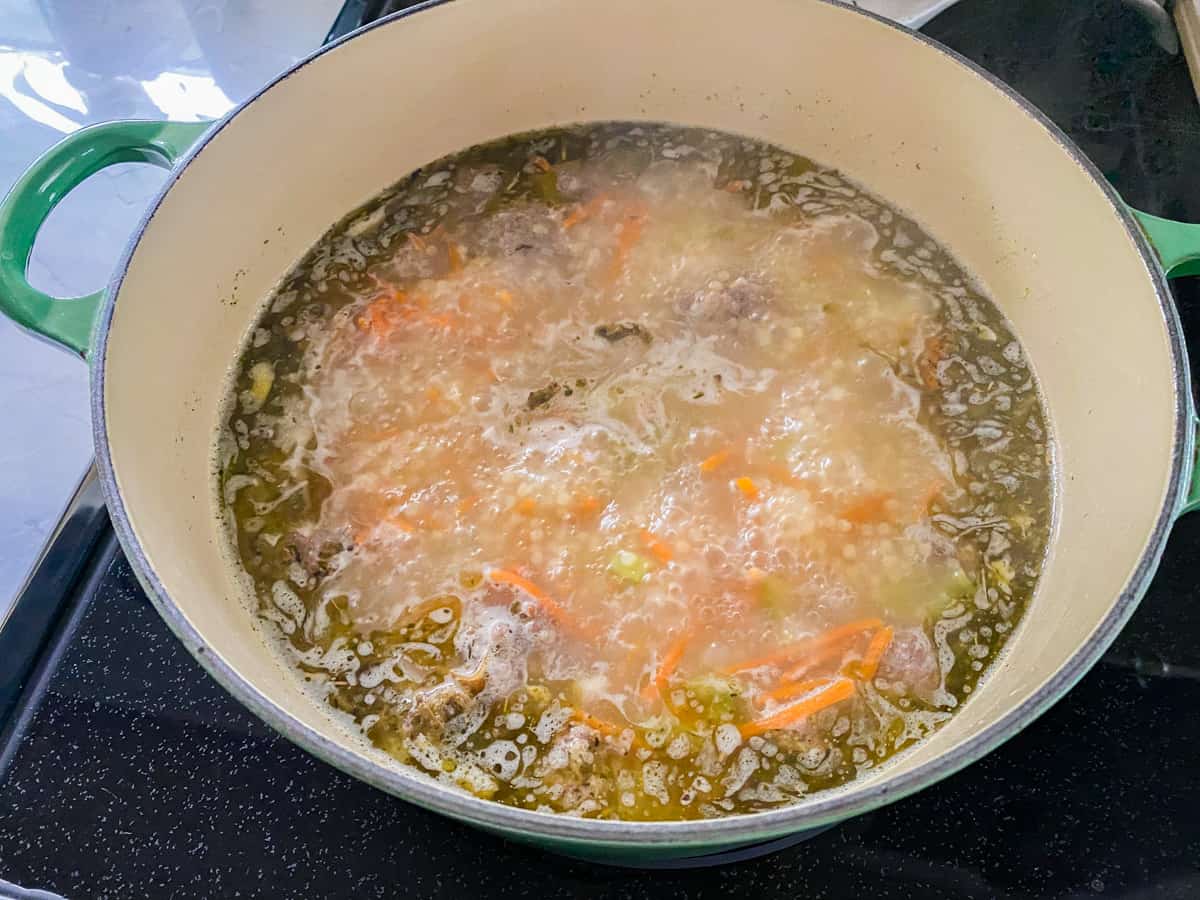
(637,472)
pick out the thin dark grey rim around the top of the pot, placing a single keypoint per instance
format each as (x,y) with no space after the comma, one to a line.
(823,809)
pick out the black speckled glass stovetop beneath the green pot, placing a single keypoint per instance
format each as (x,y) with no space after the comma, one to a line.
(127,772)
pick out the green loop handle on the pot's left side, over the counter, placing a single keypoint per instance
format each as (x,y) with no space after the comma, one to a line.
(53,176)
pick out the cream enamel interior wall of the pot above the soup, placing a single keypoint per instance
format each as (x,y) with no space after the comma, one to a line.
(907,121)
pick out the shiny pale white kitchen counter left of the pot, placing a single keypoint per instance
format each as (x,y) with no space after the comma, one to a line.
(63,65)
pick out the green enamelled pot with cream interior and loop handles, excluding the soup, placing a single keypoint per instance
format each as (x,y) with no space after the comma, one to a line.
(983,171)
